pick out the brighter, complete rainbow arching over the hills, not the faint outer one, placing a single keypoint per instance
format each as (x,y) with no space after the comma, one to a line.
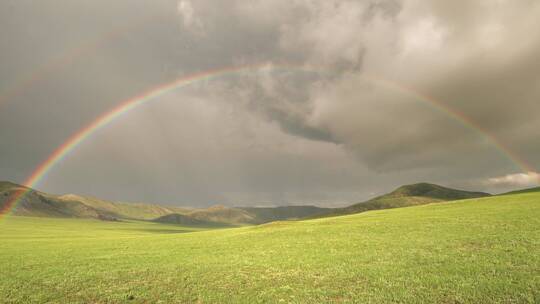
(108,117)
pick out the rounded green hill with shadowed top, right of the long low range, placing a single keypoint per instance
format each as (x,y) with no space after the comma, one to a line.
(409,195)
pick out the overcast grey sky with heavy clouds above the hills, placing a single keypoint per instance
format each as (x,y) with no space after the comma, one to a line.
(350,99)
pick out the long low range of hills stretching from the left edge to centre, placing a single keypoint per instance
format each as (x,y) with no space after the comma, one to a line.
(36,203)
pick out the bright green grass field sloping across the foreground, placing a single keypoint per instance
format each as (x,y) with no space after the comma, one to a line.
(473,251)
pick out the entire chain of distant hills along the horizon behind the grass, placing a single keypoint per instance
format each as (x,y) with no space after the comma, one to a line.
(36,203)
